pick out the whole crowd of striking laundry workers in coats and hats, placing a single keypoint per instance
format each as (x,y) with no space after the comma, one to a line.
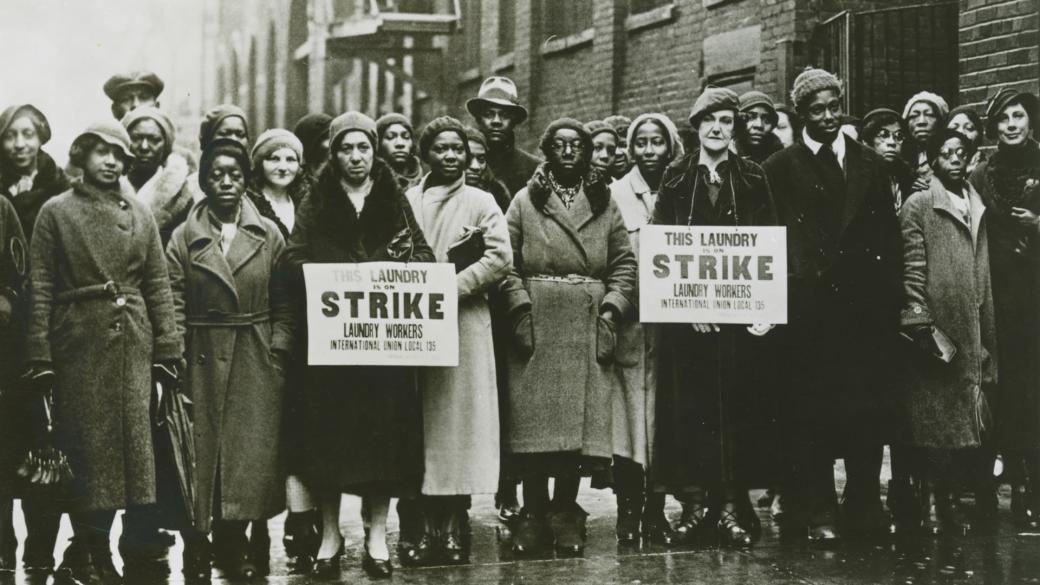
(914,322)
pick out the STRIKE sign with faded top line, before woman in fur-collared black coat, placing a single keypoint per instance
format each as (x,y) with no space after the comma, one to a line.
(382,314)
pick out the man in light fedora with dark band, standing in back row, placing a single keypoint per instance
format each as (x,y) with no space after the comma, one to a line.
(497,110)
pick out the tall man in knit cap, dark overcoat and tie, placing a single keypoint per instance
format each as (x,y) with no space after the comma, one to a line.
(845,260)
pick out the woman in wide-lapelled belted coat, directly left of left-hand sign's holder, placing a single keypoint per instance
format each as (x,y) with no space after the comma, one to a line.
(233,310)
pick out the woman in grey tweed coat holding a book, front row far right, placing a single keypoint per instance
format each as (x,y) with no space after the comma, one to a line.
(947,284)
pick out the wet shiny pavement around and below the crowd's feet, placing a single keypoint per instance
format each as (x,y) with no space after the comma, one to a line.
(1001,558)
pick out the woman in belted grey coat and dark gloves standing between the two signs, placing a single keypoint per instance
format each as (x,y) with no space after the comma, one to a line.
(574,283)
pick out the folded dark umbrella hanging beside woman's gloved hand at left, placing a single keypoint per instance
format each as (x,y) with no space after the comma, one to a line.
(175,443)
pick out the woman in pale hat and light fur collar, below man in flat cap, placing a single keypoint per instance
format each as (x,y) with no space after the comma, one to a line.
(159,176)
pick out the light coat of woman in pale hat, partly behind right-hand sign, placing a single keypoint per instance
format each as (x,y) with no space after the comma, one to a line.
(635,399)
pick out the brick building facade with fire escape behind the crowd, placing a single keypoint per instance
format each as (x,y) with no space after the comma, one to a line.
(590,59)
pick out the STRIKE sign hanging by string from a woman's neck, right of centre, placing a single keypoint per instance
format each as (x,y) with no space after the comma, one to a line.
(714,274)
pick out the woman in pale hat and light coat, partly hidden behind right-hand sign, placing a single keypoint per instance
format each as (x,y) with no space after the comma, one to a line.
(636,195)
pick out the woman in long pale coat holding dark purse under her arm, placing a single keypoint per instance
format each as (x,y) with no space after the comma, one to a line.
(460,405)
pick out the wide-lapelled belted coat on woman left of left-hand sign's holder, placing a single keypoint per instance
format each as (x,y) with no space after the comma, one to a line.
(233,312)
